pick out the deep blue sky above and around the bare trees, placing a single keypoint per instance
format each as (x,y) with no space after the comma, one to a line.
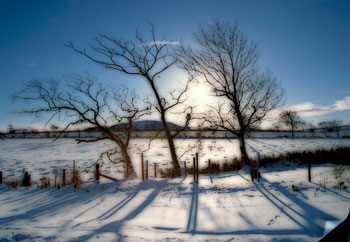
(305,43)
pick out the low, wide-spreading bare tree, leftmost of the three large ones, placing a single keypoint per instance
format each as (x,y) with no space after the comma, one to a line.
(83,102)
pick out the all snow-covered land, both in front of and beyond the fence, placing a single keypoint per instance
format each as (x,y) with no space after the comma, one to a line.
(222,207)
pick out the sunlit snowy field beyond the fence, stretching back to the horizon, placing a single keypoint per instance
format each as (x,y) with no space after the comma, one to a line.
(44,156)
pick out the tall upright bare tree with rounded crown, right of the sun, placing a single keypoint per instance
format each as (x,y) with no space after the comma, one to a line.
(227,61)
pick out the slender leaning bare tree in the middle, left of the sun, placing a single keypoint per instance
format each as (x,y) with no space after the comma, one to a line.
(149,60)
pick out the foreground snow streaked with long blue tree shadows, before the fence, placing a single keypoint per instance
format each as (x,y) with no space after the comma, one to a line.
(225,207)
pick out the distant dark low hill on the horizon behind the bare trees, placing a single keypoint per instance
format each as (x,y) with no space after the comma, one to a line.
(147,125)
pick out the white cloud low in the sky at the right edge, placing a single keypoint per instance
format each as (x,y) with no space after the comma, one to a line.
(309,109)
